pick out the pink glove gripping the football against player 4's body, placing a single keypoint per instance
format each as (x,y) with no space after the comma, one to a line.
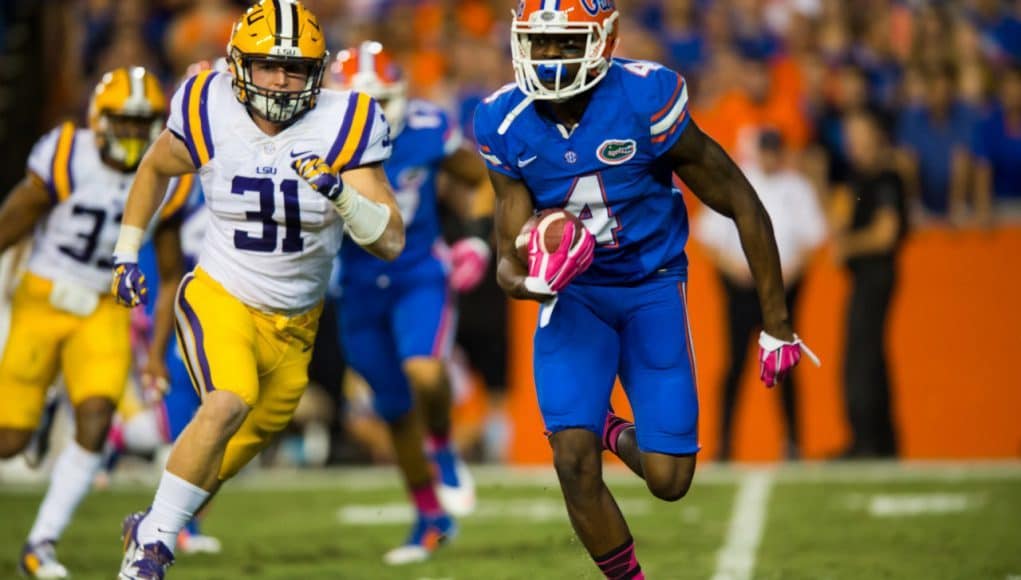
(552,272)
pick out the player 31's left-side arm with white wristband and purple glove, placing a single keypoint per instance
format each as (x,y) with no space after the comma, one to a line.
(166,159)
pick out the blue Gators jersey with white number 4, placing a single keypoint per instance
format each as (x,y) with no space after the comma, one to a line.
(608,171)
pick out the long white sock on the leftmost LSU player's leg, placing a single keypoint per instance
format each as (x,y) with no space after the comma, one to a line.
(72,478)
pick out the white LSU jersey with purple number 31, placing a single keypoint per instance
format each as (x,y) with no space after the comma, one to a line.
(271,238)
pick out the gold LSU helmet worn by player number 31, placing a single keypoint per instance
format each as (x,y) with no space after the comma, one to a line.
(285,33)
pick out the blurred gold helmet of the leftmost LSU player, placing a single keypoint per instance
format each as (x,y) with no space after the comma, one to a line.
(126,114)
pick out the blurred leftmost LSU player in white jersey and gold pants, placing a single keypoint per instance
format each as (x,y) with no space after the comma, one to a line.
(63,318)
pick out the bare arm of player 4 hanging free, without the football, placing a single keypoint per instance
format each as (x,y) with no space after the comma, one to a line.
(716,180)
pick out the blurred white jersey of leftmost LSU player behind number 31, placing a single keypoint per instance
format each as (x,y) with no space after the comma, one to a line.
(75,243)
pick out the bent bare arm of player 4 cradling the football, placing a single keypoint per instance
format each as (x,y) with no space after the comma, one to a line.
(513,209)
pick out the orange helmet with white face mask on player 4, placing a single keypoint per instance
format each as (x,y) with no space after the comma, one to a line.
(597,20)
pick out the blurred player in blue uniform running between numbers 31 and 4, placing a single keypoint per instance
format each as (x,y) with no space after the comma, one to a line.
(398,320)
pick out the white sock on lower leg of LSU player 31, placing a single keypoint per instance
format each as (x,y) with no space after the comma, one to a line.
(175,506)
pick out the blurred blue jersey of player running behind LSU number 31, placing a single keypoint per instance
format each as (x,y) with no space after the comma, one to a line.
(428,138)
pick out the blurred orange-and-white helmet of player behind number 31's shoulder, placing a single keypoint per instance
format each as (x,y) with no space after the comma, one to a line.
(370,69)
